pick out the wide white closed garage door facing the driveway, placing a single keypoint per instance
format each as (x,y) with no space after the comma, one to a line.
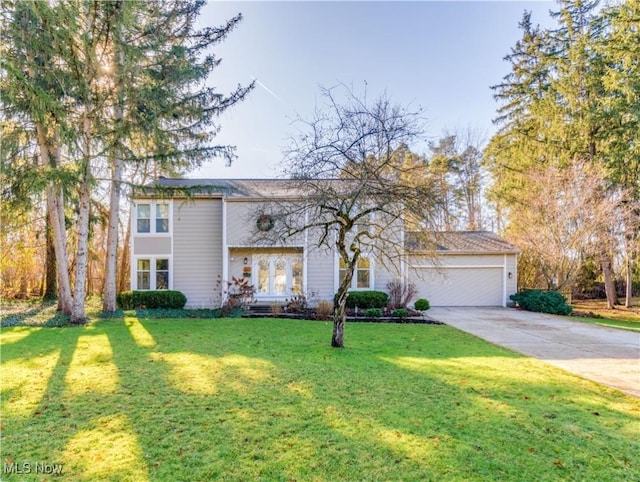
(480,286)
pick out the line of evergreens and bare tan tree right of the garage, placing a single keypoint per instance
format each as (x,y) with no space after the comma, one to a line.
(565,162)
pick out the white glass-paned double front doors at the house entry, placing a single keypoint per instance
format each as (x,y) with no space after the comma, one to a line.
(278,275)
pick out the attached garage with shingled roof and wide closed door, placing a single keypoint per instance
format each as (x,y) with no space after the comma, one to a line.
(472,268)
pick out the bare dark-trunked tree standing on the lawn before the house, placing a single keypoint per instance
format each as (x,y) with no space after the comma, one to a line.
(353,193)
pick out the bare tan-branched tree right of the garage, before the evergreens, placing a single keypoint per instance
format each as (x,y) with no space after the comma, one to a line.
(562,219)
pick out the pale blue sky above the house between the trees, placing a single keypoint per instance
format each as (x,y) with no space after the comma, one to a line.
(440,56)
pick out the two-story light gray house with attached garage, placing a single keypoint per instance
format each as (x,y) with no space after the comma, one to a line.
(195,242)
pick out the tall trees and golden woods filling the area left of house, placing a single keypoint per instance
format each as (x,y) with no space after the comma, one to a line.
(97,96)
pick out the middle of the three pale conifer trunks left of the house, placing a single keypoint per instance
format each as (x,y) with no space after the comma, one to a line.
(78,315)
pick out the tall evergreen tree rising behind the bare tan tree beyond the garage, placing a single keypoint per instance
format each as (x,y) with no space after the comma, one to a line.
(556,112)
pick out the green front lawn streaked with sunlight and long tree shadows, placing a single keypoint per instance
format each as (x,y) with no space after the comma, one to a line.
(253,399)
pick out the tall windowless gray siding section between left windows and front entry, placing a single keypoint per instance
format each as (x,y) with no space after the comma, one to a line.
(197,257)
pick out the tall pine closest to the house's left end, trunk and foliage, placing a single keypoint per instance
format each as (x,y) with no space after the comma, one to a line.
(163,110)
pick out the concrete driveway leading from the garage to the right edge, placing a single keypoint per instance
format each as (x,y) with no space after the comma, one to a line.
(604,355)
